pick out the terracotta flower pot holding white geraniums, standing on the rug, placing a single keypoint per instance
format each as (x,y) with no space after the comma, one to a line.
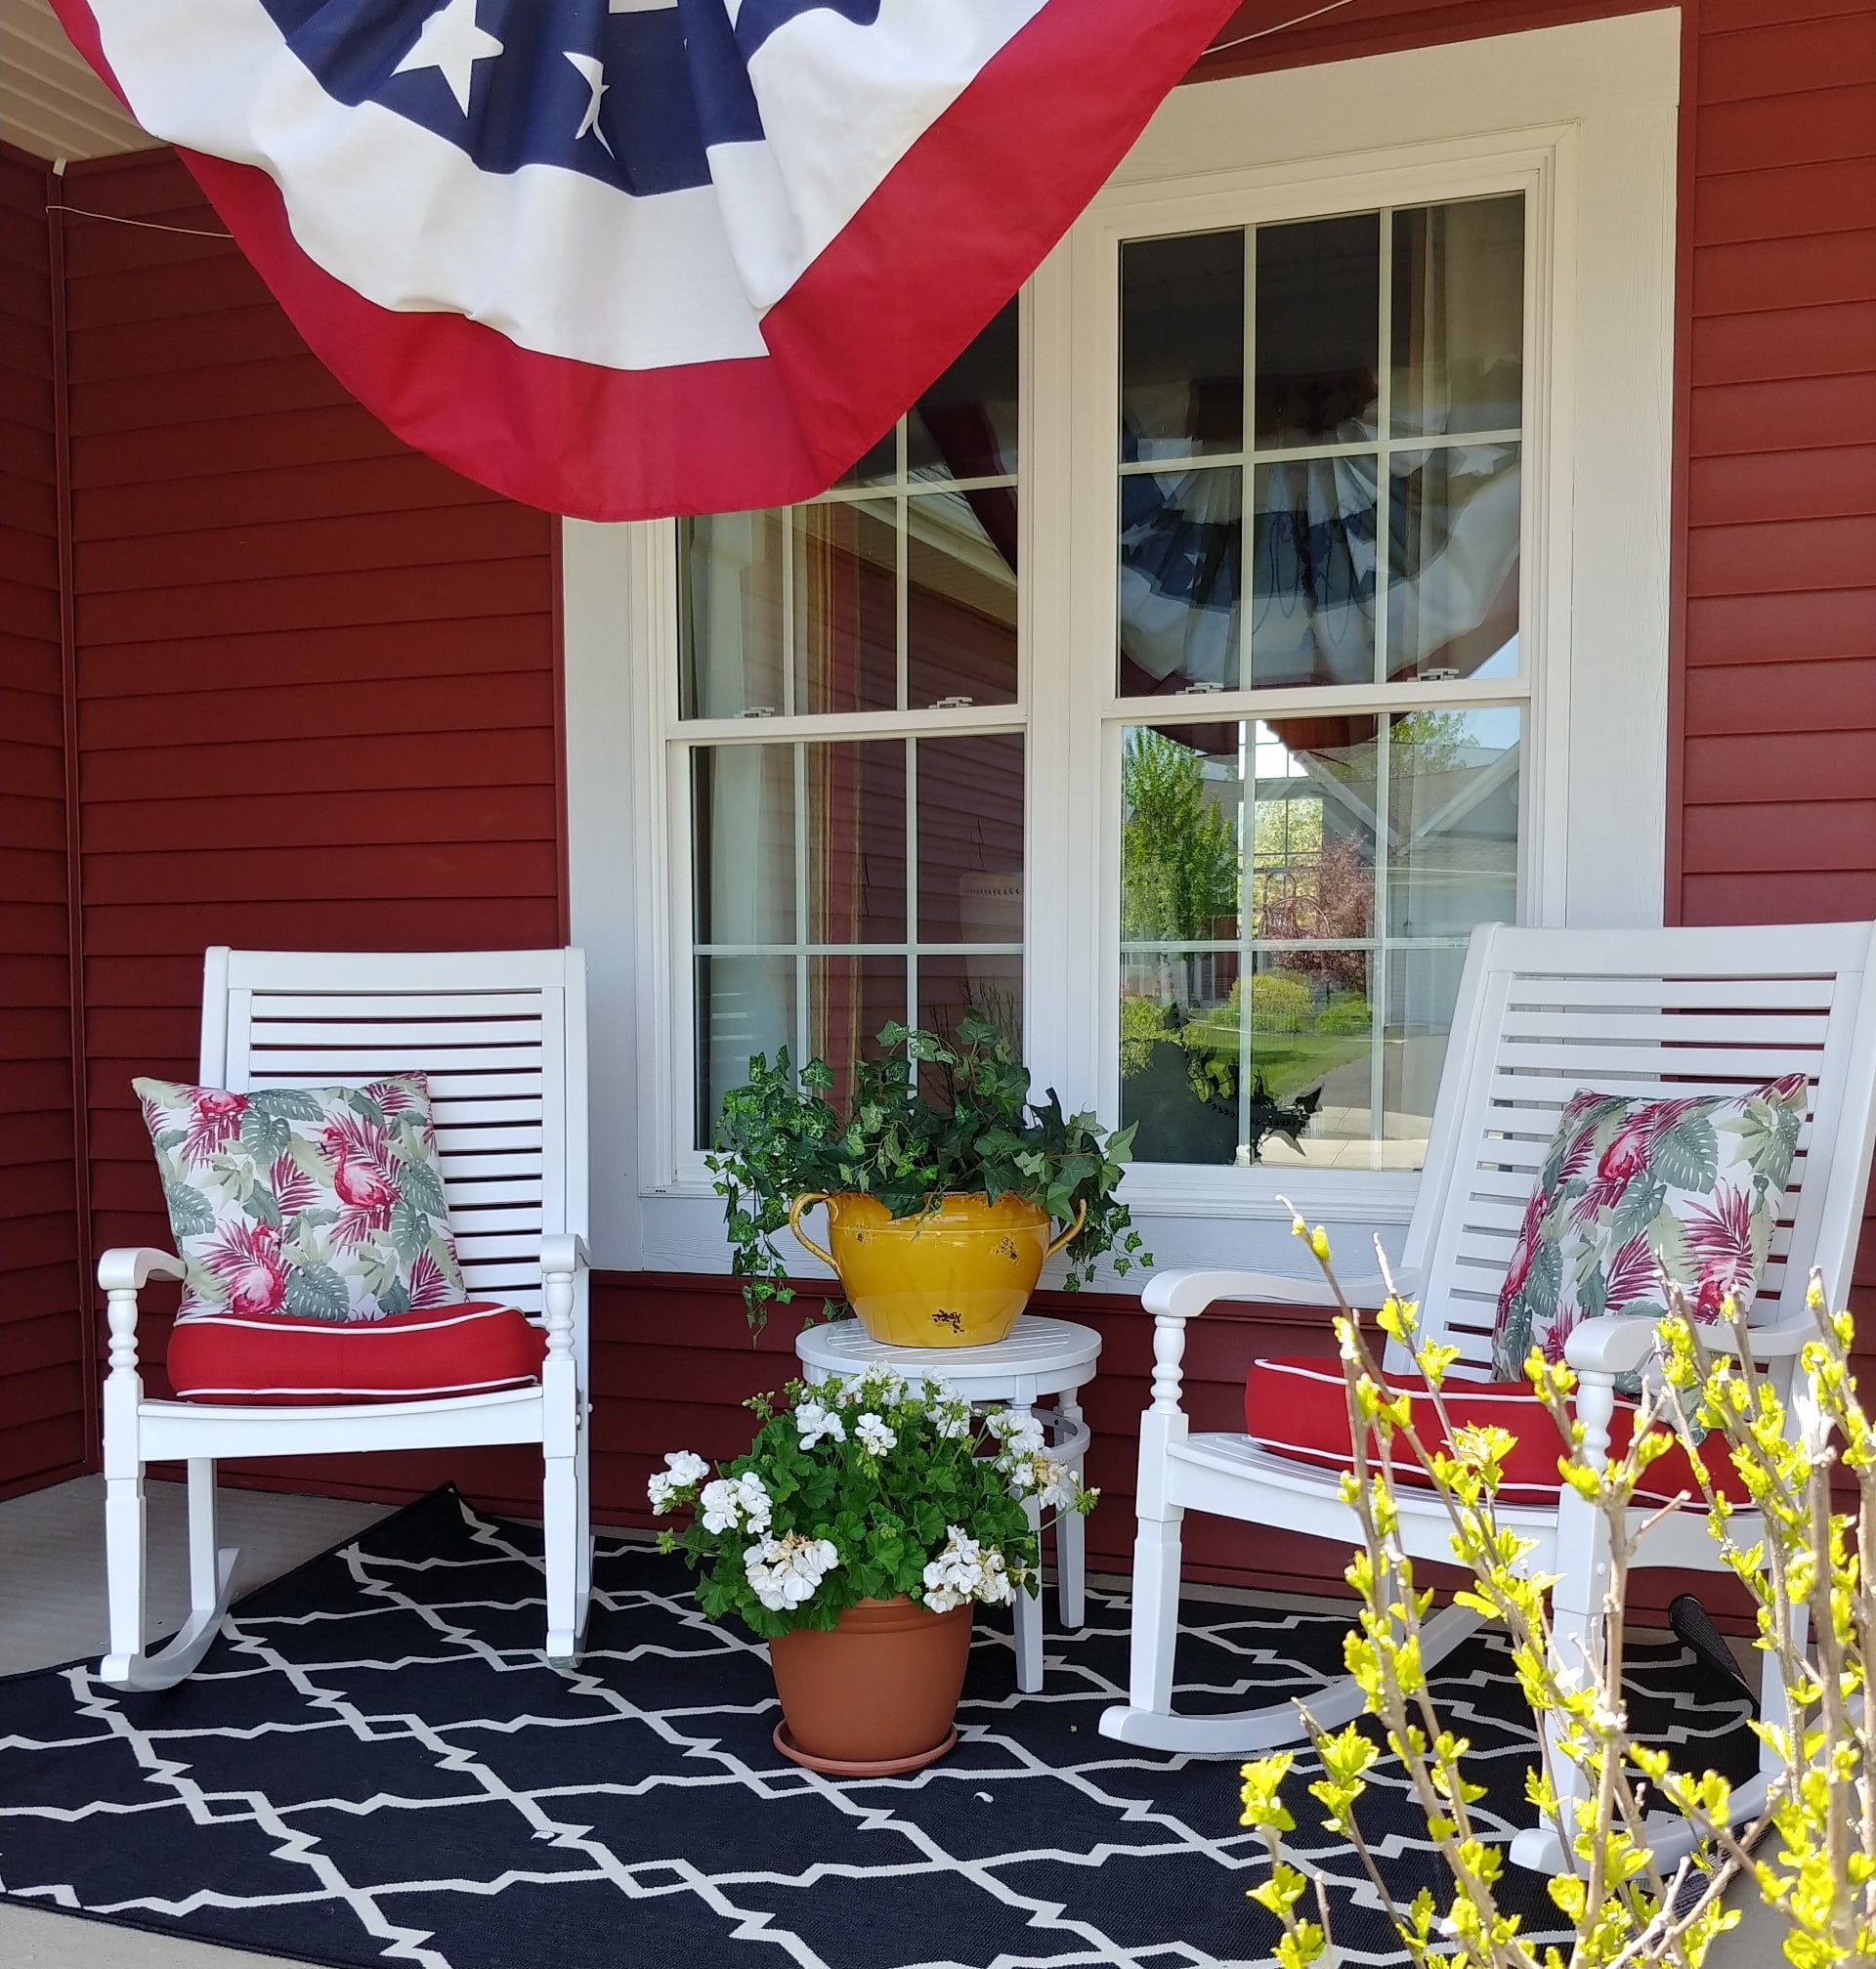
(875,1694)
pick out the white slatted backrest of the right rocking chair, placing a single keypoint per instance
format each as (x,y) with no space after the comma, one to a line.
(1647,1013)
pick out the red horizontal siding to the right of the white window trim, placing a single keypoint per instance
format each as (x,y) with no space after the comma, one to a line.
(1779,692)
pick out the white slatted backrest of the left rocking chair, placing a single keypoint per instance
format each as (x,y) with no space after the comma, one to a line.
(501,1037)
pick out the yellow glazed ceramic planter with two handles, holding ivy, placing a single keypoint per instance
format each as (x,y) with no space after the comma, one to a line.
(954,1277)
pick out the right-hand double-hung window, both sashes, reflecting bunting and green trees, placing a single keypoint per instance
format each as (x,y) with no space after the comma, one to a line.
(1320,688)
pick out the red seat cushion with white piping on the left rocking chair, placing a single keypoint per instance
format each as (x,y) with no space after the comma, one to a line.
(406,1358)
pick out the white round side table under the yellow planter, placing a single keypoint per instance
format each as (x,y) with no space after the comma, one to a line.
(1038,1360)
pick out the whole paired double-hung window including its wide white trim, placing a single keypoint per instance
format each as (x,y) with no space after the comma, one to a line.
(1253,609)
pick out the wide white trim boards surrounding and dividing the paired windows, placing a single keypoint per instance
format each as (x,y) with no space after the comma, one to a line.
(1582,119)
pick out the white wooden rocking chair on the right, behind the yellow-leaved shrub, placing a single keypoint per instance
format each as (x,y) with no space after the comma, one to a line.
(1540,1015)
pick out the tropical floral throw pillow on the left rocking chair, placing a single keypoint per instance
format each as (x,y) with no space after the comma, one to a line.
(318,1202)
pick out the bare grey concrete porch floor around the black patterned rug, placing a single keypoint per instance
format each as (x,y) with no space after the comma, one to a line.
(52,1610)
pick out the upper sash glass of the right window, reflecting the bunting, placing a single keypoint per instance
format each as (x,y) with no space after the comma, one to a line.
(1387,361)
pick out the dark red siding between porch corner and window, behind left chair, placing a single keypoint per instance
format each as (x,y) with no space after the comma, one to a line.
(316,686)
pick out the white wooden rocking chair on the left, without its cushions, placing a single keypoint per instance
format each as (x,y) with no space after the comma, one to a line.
(503,1037)
